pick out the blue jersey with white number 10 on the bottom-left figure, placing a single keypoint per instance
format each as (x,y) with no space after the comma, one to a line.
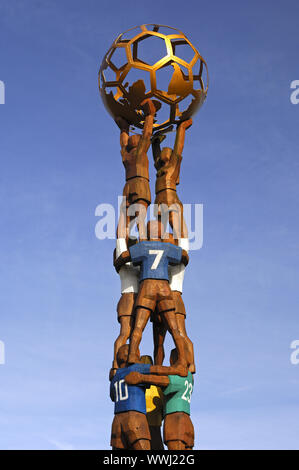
(128,397)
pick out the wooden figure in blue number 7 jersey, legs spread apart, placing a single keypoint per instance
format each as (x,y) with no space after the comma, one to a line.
(154,257)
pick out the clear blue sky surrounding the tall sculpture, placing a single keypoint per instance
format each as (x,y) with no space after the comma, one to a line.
(60,159)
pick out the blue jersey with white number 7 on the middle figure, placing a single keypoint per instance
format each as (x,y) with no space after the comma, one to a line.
(154,258)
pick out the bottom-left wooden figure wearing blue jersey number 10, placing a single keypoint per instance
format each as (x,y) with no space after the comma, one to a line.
(130,428)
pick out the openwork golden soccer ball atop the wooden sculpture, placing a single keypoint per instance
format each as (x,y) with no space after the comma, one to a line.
(158,62)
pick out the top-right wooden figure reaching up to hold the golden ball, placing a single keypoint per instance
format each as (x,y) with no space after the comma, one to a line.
(167,163)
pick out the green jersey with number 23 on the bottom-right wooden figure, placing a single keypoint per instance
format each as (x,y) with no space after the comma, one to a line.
(178,394)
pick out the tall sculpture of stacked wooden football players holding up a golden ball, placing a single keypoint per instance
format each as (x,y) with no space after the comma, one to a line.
(152,267)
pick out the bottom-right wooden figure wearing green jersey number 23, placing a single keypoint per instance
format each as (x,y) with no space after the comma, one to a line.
(178,431)
